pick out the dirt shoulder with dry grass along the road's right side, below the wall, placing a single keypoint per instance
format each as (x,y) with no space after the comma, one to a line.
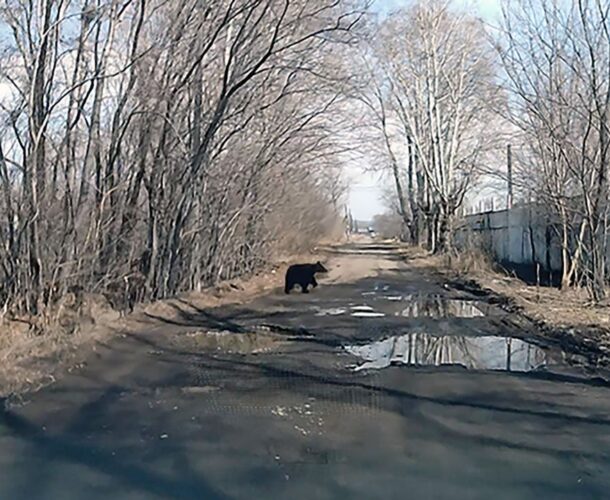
(564,318)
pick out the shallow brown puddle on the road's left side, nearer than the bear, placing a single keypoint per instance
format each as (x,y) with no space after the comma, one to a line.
(236,343)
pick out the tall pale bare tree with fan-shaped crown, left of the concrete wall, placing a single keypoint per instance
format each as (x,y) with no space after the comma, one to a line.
(432,94)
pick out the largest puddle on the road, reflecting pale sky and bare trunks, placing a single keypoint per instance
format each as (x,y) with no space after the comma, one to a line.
(478,353)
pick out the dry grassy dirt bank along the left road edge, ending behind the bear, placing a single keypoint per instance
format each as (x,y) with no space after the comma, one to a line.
(36,351)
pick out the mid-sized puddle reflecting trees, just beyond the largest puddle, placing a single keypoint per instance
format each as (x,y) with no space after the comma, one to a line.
(432,306)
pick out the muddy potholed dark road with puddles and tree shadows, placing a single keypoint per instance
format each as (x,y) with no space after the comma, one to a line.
(382,384)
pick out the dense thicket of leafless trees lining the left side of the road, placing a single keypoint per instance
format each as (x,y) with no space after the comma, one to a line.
(154,147)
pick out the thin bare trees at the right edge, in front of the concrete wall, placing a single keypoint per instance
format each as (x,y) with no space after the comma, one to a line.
(556,59)
